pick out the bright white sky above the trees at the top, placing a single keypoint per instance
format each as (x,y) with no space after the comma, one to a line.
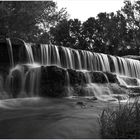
(83,9)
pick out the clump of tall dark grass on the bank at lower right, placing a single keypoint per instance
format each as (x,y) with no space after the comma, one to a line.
(121,123)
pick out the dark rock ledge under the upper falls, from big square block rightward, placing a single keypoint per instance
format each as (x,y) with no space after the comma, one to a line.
(59,82)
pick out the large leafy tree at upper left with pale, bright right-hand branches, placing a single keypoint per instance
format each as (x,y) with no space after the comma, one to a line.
(29,20)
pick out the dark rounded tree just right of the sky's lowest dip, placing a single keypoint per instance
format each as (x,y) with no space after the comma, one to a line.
(106,33)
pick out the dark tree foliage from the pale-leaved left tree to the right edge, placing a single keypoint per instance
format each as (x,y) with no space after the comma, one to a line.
(113,33)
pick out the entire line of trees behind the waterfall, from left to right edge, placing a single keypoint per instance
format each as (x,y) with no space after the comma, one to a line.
(41,22)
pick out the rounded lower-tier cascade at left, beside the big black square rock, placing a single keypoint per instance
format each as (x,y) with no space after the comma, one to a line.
(23,80)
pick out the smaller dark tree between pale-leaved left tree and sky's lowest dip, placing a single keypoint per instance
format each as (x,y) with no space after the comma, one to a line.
(67,33)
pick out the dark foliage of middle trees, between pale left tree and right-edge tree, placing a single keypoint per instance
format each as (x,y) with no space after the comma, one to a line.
(106,33)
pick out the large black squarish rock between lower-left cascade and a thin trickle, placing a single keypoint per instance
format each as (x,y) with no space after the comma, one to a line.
(53,82)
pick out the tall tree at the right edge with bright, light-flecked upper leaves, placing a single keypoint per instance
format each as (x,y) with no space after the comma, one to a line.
(132,13)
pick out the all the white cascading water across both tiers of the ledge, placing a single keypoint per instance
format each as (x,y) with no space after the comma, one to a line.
(28,75)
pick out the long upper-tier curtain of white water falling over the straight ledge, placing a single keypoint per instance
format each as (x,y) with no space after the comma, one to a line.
(83,60)
